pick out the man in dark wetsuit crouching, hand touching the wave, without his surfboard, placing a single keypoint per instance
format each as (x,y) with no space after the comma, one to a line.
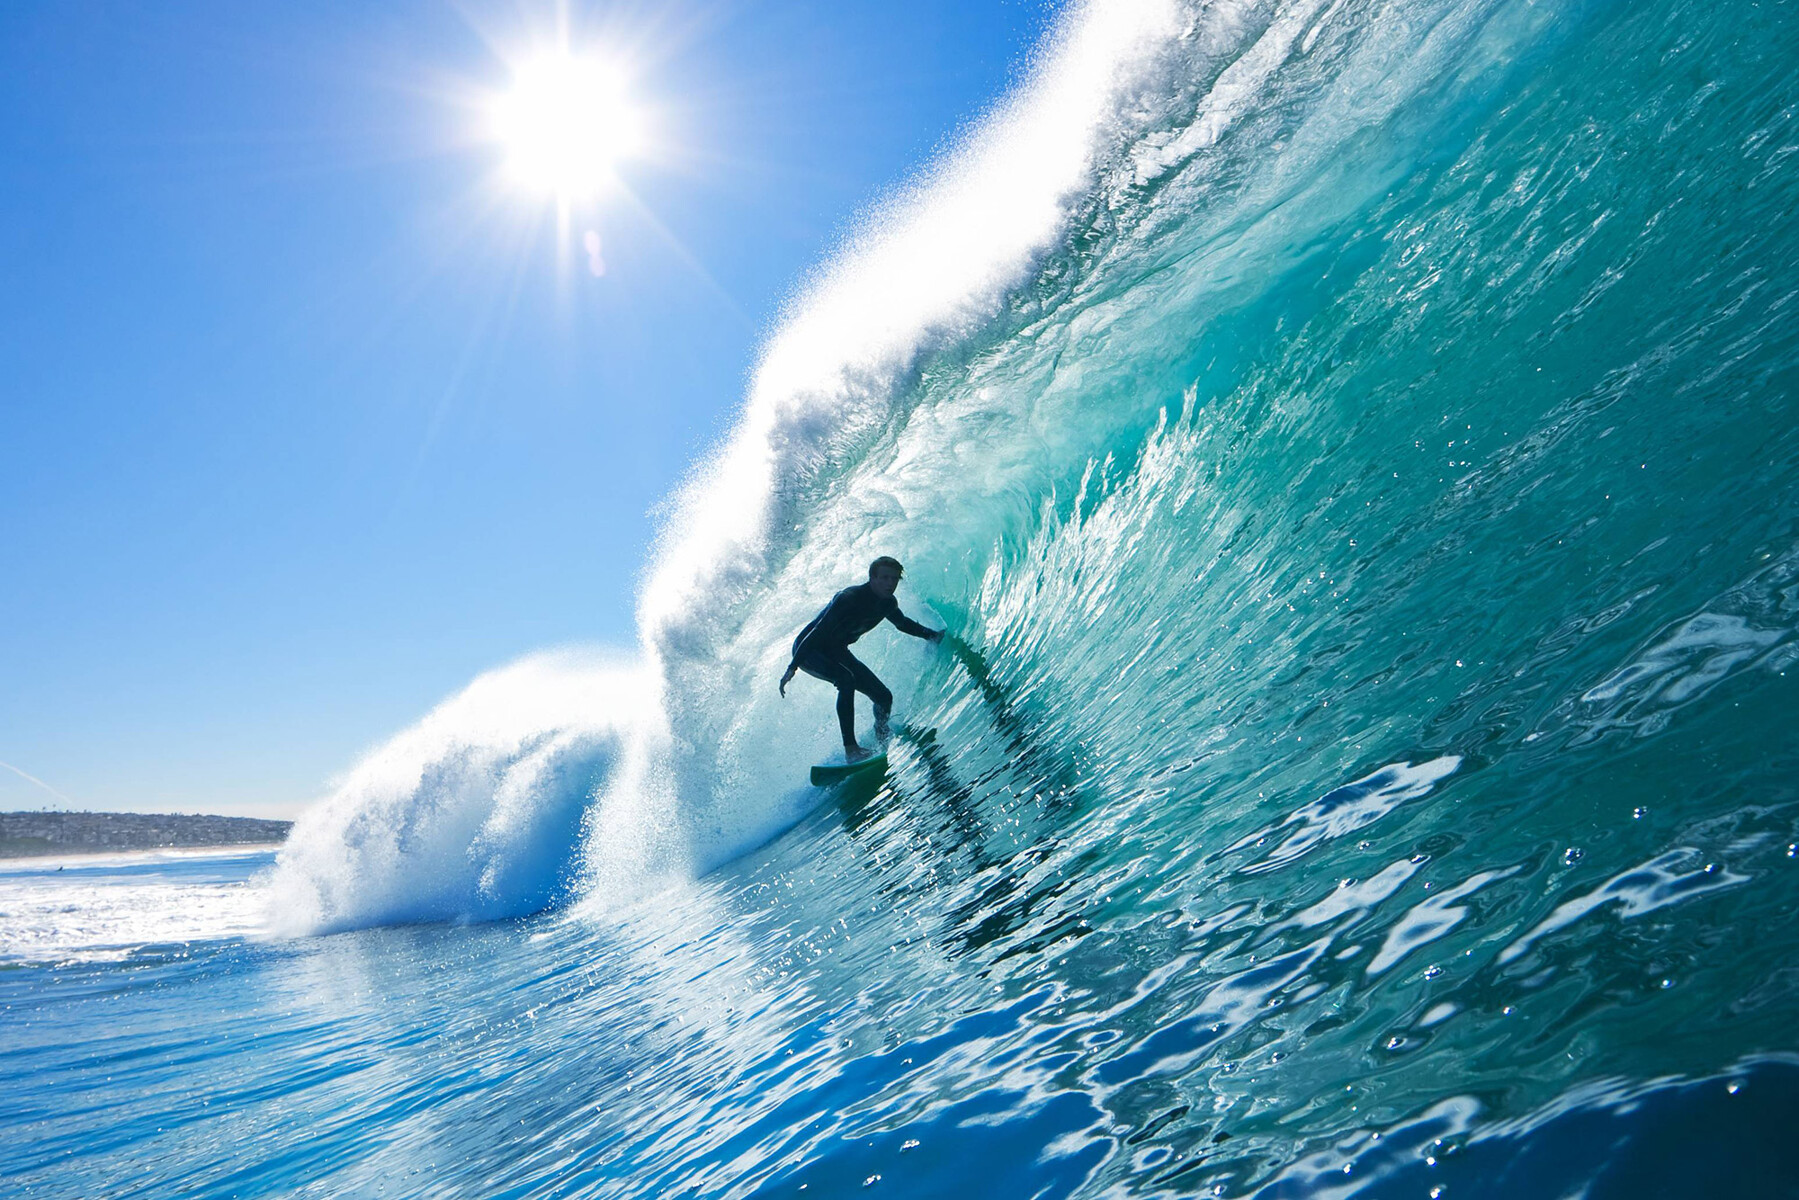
(823,649)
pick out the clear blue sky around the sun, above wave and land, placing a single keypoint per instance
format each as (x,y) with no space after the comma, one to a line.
(310,411)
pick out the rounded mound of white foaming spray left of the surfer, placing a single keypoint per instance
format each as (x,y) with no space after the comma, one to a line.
(472,814)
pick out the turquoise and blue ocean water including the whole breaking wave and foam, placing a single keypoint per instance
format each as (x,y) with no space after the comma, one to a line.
(1356,451)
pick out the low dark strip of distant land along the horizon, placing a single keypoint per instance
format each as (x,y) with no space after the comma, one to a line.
(66,836)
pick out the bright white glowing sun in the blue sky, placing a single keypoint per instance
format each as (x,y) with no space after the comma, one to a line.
(566,125)
